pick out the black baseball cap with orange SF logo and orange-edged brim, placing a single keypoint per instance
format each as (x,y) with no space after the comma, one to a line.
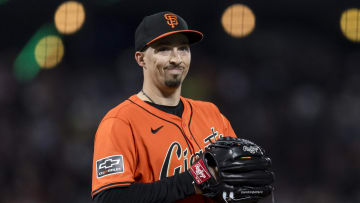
(159,25)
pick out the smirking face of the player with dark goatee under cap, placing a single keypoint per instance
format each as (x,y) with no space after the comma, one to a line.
(167,61)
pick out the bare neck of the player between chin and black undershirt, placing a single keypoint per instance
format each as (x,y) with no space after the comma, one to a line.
(168,97)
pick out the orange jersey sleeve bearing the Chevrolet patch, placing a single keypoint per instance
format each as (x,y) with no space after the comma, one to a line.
(114,160)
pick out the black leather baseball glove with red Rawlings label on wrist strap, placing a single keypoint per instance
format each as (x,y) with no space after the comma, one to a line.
(233,170)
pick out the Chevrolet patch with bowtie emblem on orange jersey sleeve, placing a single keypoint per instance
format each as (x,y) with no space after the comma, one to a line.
(109,165)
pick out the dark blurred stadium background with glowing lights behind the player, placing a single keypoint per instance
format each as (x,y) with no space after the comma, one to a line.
(285,73)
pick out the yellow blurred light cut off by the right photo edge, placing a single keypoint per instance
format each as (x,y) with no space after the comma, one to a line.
(350,24)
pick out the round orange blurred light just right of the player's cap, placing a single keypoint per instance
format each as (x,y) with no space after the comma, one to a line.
(238,20)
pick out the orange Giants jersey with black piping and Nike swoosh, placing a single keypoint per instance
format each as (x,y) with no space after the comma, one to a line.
(136,142)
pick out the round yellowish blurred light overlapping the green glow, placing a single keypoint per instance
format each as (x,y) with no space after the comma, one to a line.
(49,51)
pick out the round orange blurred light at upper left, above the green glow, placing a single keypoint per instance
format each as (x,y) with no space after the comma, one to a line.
(69,17)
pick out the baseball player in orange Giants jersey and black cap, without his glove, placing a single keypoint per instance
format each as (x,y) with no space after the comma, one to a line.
(144,147)
